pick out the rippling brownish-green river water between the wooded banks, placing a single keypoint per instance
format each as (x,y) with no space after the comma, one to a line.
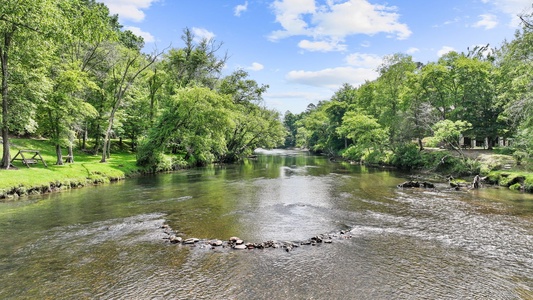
(107,243)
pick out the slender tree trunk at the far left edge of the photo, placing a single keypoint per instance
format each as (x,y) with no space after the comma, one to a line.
(6,155)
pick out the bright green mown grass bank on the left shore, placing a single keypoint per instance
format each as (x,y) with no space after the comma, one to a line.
(85,170)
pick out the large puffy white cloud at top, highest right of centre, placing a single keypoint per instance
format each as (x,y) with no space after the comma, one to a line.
(334,21)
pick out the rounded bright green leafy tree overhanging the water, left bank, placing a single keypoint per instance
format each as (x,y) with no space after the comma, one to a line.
(182,128)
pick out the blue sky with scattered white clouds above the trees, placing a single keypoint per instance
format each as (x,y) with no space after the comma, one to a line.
(306,49)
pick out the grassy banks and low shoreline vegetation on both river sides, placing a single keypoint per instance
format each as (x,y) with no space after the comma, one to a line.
(497,169)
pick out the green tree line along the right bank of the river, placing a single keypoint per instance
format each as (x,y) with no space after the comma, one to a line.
(485,93)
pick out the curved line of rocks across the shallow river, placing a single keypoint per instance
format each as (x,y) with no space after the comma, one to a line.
(238,244)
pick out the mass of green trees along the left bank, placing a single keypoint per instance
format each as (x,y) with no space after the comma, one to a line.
(72,75)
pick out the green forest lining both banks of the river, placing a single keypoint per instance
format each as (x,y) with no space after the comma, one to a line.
(72,75)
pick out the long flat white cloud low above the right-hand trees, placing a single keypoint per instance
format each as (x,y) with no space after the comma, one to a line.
(332,78)
